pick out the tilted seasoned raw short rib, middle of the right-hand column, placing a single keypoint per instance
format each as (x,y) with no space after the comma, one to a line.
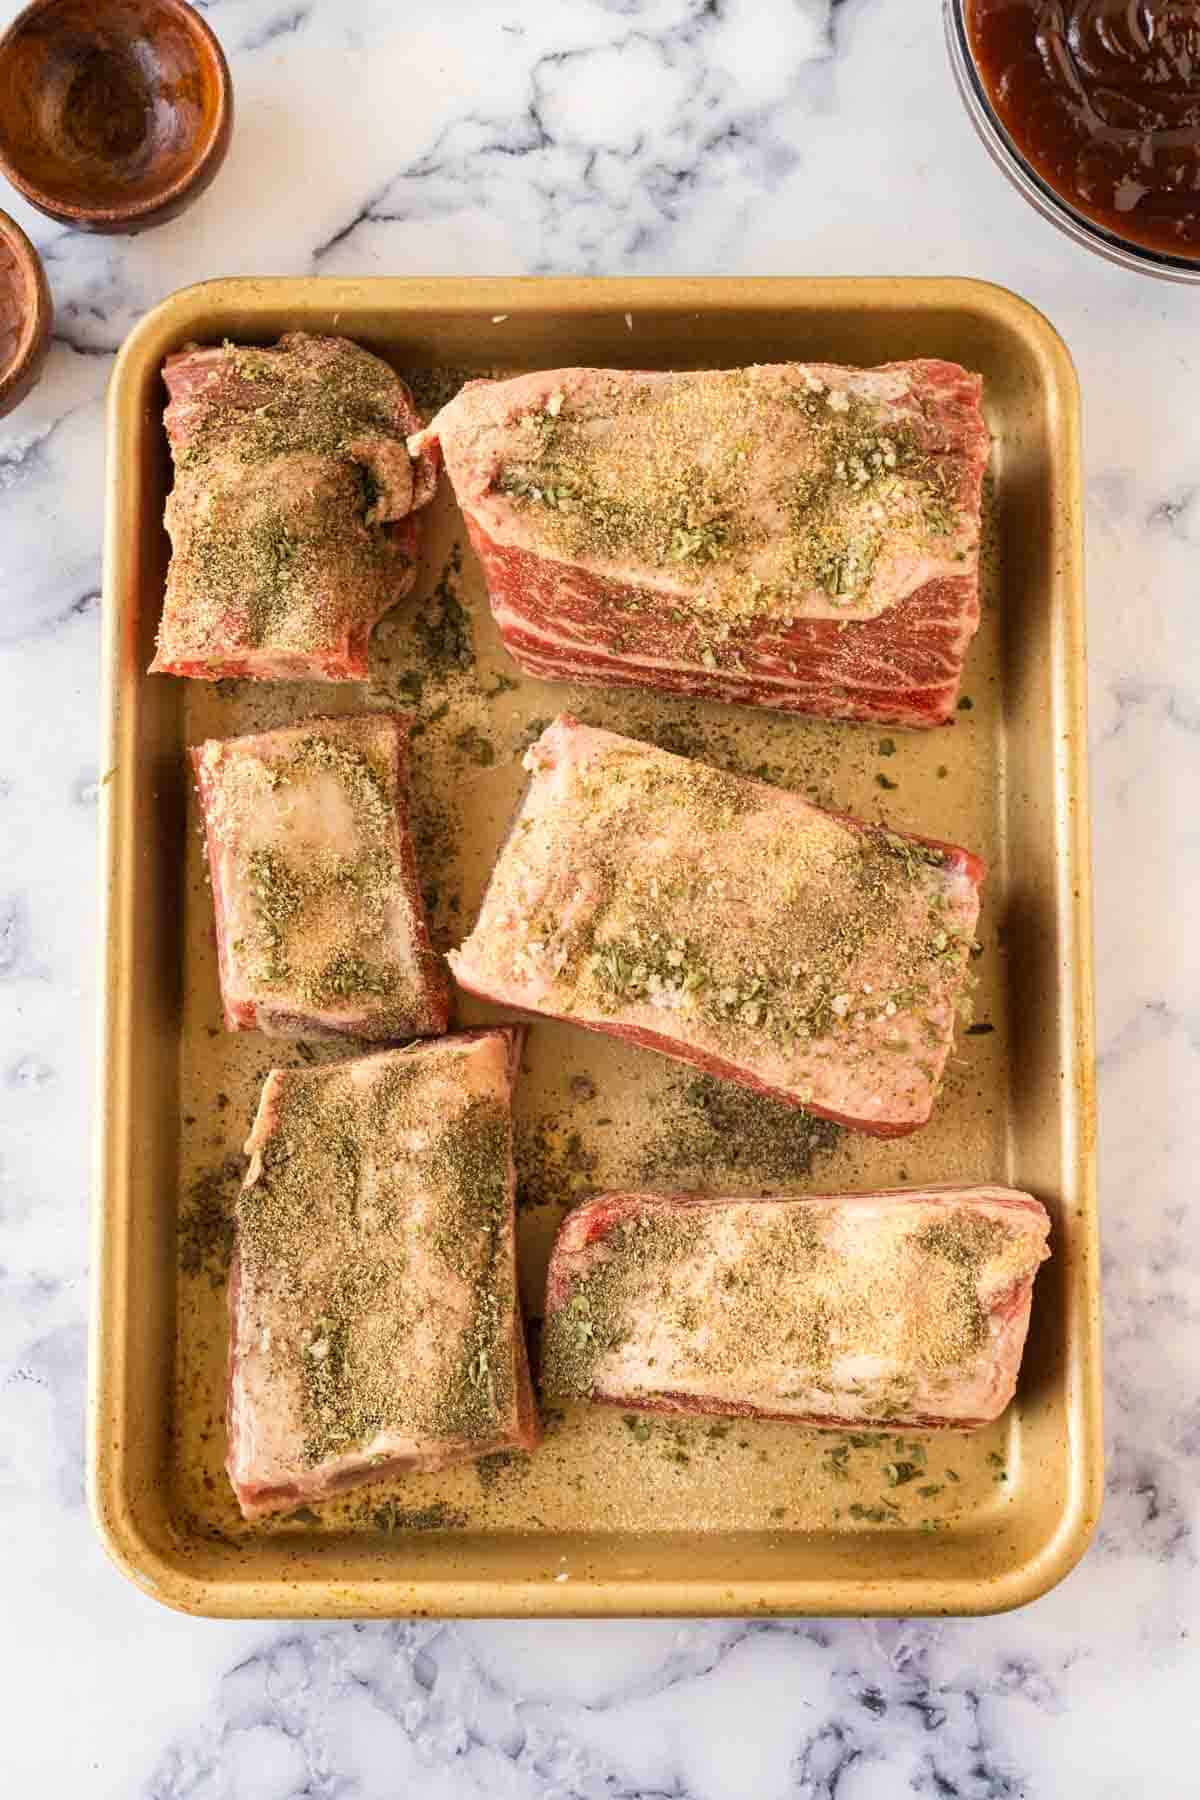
(730,924)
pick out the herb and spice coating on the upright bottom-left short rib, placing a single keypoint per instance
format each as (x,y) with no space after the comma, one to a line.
(354,1311)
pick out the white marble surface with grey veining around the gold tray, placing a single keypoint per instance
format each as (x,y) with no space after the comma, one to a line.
(611,136)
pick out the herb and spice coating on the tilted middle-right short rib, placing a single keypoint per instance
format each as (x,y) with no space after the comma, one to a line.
(830,904)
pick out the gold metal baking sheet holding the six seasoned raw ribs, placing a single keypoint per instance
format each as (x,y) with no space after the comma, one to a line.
(618,1513)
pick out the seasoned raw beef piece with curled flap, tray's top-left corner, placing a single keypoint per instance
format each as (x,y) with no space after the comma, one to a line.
(292,516)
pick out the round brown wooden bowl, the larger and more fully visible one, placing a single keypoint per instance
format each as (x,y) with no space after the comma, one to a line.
(114,114)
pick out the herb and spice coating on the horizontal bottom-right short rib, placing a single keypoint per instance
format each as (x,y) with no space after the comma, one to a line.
(697,1284)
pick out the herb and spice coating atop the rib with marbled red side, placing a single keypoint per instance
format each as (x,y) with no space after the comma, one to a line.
(668,474)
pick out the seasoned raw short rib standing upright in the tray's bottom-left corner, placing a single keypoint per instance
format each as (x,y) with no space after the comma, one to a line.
(373,1297)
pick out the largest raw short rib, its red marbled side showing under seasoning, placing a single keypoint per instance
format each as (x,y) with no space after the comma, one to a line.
(793,535)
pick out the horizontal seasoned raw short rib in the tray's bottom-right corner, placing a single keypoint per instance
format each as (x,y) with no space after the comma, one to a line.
(900,1308)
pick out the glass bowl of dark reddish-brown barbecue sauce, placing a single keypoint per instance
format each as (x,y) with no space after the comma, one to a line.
(1093,111)
